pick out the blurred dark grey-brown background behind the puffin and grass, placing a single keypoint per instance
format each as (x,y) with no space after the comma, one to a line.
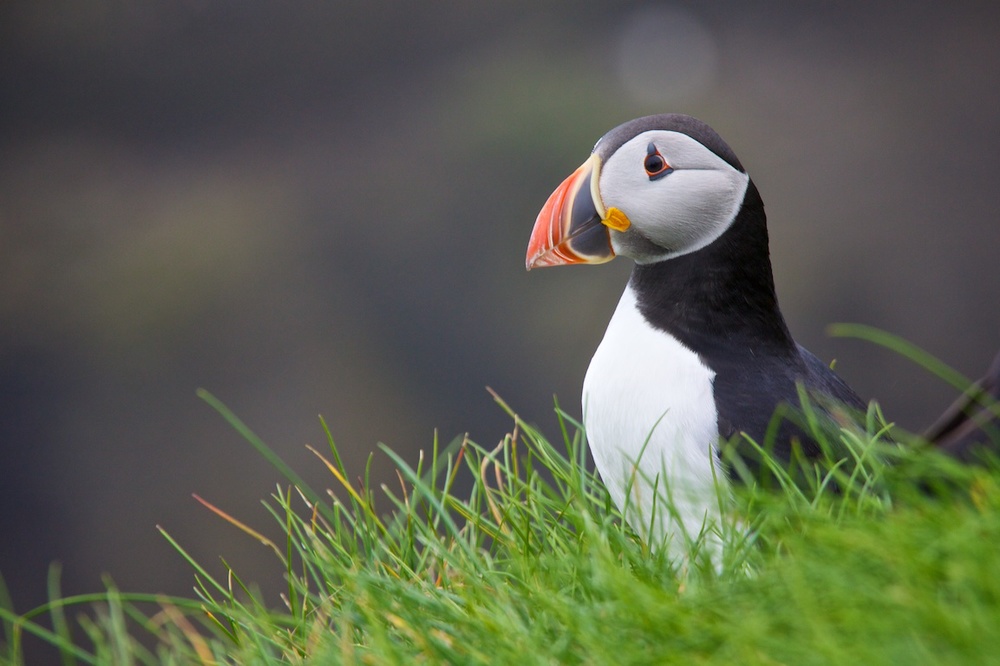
(322,208)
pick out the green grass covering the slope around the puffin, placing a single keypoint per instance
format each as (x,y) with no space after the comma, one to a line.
(534,565)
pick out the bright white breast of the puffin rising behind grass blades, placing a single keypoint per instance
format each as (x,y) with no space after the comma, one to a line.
(651,421)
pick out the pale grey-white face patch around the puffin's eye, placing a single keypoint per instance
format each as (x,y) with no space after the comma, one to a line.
(674,213)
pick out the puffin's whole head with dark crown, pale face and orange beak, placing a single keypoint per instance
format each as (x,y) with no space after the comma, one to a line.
(653,188)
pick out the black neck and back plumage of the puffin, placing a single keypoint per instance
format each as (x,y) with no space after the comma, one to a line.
(720,302)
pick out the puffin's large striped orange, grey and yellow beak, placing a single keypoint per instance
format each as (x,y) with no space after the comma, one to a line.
(573,226)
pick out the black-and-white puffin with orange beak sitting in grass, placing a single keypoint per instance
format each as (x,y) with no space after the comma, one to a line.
(697,353)
